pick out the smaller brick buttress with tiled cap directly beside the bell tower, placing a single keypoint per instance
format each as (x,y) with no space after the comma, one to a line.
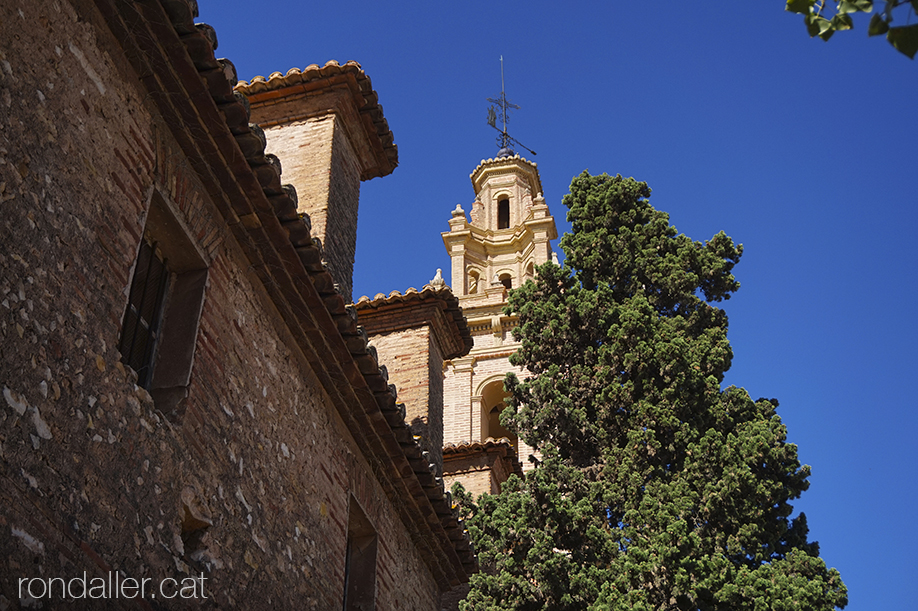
(413,334)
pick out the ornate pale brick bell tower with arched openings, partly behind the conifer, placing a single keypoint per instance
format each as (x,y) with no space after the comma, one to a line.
(495,250)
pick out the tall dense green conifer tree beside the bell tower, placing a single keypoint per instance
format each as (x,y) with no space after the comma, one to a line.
(656,489)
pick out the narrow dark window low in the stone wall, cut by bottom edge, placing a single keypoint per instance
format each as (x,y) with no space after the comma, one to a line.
(360,562)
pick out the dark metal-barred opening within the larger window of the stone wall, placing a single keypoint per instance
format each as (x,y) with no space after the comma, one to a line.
(140,330)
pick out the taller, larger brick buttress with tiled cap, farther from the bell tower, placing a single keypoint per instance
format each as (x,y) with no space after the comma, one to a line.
(327,129)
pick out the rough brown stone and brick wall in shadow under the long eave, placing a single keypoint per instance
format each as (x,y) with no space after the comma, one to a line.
(92,477)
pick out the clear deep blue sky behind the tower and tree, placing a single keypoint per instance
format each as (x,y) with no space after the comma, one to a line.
(801,150)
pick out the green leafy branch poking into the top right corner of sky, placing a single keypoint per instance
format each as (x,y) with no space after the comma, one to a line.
(820,23)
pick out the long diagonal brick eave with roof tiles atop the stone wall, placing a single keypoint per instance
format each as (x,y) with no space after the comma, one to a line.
(193,92)
